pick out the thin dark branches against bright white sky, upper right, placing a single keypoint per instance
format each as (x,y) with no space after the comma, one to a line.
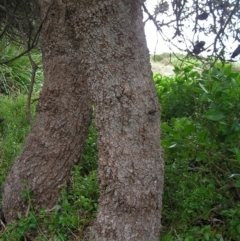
(214,20)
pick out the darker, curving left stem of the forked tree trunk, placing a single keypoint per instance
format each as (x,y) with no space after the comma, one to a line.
(63,116)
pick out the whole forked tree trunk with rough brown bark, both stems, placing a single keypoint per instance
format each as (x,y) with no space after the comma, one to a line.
(109,37)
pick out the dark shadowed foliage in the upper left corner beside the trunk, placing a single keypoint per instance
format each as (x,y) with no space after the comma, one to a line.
(19,23)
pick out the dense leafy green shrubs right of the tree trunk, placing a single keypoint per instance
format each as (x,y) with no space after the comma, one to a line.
(201,153)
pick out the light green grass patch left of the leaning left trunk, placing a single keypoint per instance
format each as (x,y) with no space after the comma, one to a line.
(13,130)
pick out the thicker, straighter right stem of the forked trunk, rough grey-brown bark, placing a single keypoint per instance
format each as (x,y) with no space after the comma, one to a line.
(127,120)
